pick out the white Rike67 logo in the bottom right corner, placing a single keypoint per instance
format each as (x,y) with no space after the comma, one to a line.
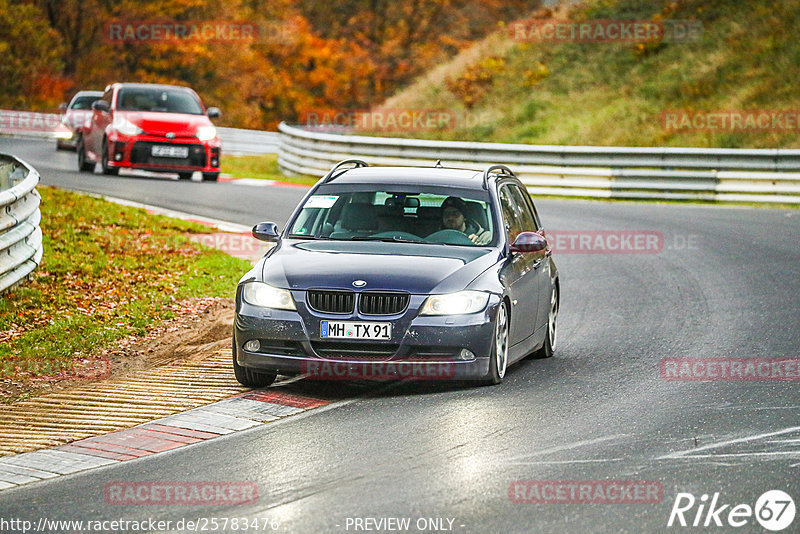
(774,511)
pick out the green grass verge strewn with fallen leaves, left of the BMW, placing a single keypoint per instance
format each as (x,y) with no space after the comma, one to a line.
(108,271)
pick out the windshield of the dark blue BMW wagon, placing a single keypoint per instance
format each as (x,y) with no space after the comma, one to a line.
(407,216)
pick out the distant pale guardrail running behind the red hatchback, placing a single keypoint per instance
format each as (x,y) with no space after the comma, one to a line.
(235,141)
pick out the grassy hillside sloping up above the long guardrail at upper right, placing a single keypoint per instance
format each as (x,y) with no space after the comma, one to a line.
(747,58)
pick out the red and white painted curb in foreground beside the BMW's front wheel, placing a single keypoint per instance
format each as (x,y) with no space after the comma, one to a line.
(200,424)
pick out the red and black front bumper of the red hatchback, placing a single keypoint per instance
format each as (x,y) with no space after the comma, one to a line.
(135,152)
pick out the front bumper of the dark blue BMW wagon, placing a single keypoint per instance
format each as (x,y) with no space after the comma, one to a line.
(421,347)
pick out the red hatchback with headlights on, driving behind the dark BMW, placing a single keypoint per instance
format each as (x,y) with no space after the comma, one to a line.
(160,128)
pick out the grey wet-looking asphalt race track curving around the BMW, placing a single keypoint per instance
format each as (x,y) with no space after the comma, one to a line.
(725,283)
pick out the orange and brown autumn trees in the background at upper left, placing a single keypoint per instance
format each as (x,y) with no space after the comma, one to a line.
(307,55)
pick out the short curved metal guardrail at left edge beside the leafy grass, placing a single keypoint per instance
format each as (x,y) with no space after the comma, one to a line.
(20,235)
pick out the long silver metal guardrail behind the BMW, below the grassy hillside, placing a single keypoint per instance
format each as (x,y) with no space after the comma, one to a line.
(746,175)
